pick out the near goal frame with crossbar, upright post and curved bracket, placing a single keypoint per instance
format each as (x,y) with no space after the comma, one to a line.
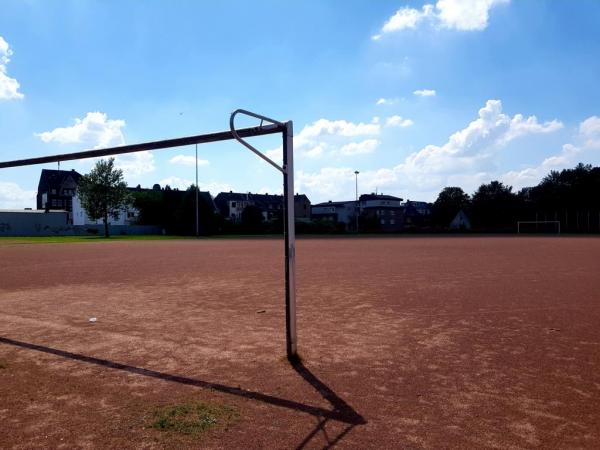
(267,126)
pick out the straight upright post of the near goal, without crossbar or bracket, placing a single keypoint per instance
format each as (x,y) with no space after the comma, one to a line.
(290,241)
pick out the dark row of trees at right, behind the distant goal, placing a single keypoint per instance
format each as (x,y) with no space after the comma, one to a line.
(571,196)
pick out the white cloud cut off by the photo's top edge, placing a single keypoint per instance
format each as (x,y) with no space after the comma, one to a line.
(463,15)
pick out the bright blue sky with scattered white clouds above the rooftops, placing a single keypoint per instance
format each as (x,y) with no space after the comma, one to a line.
(415,96)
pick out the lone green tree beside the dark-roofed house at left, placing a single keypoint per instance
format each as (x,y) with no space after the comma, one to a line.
(103,192)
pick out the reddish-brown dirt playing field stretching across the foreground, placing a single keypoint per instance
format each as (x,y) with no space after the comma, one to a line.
(460,342)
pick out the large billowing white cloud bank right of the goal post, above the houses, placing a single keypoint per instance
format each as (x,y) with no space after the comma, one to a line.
(467,159)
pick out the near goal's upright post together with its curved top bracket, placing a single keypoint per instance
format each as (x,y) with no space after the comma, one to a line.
(289,224)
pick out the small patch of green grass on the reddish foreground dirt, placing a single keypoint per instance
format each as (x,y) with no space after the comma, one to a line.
(193,418)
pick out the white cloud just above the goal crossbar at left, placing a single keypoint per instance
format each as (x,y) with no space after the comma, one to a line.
(94,130)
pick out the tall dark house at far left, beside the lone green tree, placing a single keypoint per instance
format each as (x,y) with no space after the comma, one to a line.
(56,189)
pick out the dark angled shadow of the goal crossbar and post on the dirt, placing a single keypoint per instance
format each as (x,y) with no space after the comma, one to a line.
(342,412)
